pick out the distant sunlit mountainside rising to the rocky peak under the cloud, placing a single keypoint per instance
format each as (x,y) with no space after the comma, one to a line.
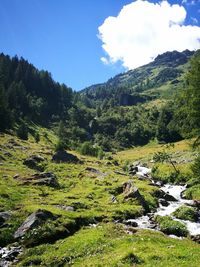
(159,79)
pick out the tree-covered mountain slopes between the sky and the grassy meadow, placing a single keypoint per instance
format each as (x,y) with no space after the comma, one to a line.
(129,110)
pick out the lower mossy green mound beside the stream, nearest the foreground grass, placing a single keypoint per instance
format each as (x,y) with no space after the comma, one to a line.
(171,227)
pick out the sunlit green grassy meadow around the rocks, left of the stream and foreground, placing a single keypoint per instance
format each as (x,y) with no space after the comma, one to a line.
(73,239)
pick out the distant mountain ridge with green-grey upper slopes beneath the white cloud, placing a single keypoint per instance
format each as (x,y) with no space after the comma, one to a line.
(167,69)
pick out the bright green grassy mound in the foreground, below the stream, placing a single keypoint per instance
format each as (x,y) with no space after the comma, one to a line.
(110,245)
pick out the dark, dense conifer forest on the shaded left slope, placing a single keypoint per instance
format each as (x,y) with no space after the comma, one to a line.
(31,94)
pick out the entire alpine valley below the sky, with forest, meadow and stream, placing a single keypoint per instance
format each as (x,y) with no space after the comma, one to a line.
(107,176)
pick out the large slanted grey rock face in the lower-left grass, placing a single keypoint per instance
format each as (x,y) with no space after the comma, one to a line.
(37,218)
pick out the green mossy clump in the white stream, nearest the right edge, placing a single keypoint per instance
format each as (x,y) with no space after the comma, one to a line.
(186,213)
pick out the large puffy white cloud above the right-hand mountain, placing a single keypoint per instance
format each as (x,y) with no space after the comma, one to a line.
(142,30)
